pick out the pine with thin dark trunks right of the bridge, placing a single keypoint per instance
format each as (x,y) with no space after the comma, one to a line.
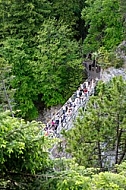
(100,131)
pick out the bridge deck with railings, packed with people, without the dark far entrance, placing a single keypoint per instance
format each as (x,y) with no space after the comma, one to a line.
(64,119)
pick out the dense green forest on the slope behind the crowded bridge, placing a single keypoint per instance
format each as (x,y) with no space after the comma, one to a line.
(42,42)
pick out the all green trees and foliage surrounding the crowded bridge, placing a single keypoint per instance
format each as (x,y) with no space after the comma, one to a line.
(43,44)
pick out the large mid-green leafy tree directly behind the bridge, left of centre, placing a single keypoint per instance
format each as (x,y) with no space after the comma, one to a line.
(43,73)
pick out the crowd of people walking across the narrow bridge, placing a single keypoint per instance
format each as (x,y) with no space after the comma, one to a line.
(59,121)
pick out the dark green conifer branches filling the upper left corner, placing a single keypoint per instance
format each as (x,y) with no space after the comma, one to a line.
(22,19)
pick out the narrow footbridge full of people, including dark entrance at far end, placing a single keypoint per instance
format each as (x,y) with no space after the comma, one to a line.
(64,119)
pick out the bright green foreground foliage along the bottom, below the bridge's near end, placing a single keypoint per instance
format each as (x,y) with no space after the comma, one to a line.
(25,163)
